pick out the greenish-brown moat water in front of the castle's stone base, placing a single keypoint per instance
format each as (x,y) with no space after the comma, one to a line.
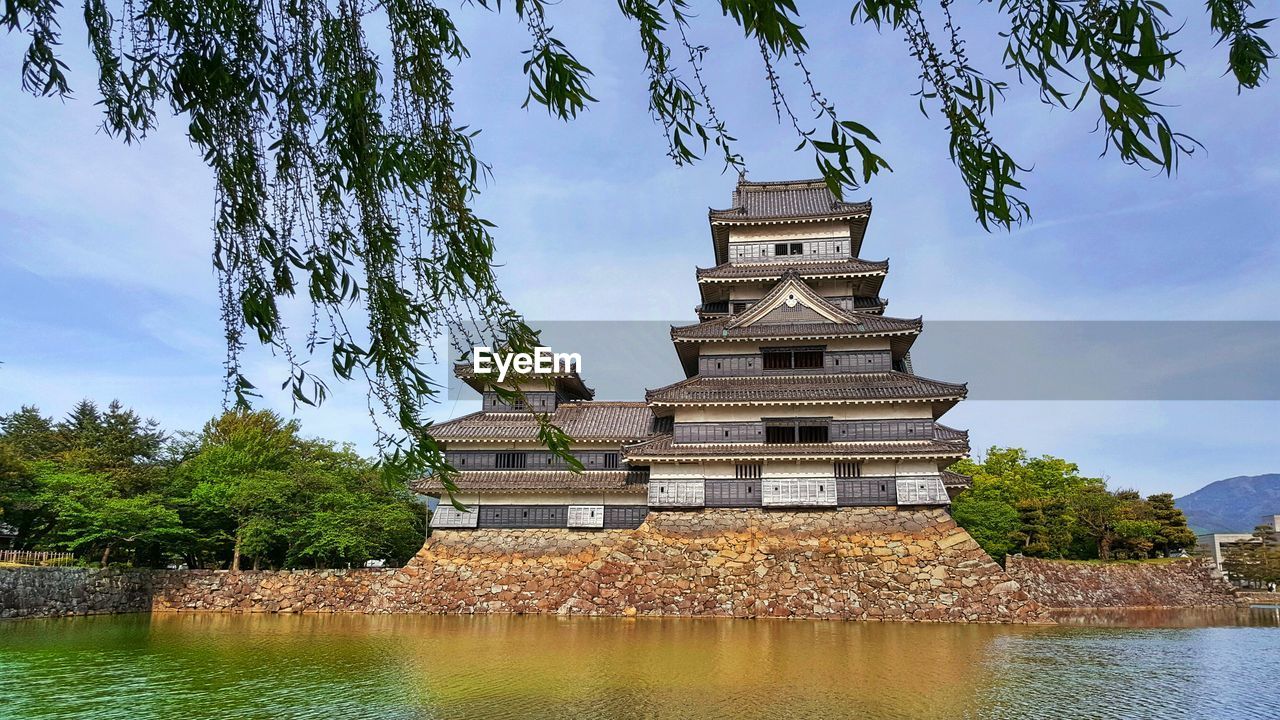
(1108,666)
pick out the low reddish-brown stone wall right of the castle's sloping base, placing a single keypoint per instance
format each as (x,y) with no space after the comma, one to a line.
(1180,584)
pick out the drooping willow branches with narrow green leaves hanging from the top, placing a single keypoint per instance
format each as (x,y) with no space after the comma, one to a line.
(348,179)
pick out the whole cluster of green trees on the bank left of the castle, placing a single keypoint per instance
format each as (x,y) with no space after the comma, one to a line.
(112,487)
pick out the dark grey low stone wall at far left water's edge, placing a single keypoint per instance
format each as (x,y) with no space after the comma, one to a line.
(49,593)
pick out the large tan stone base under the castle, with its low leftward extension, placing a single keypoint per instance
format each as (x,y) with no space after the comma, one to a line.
(858,564)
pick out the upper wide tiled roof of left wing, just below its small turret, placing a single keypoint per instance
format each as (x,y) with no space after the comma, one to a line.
(583,421)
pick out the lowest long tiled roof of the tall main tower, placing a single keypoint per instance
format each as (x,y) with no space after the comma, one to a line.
(664,448)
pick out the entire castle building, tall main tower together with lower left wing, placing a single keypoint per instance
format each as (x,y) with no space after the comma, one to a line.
(799,394)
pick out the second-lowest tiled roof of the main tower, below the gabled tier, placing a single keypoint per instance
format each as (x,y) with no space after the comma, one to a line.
(817,388)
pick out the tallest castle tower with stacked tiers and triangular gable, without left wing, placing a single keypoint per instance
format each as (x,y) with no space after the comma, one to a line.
(799,389)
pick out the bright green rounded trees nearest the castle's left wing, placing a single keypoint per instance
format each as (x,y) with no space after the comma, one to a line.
(257,490)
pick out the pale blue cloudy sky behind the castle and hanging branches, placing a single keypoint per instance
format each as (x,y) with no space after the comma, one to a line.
(107,290)
